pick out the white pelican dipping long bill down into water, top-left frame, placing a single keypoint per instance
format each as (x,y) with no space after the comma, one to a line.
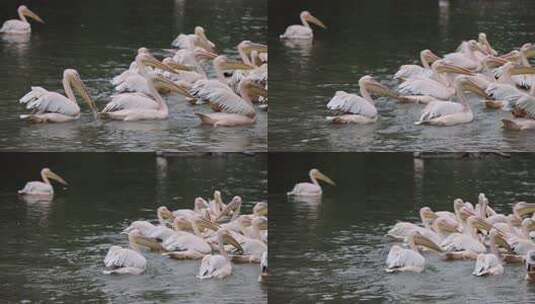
(54,107)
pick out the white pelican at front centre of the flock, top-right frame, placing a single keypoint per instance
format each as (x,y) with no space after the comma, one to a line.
(448,113)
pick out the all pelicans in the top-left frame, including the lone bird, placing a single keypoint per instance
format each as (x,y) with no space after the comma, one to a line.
(238,89)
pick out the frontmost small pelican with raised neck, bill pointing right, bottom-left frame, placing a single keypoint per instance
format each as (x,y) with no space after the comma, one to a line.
(218,266)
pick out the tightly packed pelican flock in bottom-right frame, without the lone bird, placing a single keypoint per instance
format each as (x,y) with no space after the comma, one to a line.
(477,233)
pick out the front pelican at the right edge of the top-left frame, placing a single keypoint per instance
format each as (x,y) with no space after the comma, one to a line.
(237,110)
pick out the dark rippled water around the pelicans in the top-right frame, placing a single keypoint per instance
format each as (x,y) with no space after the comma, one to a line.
(376,38)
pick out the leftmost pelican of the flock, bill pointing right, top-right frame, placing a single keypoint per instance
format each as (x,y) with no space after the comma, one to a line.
(356,109)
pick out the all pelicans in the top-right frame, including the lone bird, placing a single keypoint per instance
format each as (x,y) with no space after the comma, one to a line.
(502,81)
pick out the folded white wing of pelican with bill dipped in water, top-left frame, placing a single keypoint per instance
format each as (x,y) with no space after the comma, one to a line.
(42,101)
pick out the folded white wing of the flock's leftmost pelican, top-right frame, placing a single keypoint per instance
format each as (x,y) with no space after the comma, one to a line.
(351,103)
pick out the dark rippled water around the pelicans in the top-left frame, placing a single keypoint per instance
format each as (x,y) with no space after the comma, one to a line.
(100,39)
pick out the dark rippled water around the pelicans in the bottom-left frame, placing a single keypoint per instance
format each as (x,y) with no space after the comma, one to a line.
(54,252)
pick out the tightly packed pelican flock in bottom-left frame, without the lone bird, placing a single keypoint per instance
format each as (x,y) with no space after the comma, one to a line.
(199,233)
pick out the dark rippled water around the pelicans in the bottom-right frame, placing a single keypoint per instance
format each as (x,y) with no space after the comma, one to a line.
(334,251)
